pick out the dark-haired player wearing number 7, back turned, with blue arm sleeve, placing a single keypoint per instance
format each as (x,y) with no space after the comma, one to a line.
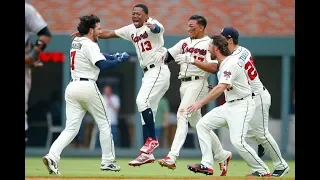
(82,94)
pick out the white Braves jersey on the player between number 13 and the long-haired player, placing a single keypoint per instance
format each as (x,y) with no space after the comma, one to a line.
(198,49)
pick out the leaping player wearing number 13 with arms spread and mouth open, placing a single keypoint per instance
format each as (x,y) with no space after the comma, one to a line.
(146,34)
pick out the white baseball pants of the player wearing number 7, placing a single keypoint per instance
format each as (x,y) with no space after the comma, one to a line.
(83,96)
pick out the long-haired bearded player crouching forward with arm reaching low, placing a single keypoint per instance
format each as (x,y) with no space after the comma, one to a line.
(235,113)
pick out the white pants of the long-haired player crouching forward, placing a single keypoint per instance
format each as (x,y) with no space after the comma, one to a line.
(236,115)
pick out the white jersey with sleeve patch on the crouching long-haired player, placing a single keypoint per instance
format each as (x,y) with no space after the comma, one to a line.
(232,73)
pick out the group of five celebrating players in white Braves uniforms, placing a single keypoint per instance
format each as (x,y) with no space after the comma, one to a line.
(245,113)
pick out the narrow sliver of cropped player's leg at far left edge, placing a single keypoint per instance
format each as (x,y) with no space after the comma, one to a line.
(27,86)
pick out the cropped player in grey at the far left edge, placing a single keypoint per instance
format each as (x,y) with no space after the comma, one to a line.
(34,23)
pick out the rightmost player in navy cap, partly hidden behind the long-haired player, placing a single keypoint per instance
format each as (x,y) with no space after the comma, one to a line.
(258,129)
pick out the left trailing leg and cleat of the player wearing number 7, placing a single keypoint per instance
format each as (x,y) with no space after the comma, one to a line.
(74,115)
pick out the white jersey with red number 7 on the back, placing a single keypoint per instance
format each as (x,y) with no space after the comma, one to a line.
(84,53)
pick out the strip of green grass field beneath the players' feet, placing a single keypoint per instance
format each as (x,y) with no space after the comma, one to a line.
(89,168)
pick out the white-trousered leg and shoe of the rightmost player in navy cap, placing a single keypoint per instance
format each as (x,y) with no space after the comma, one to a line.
(259,125)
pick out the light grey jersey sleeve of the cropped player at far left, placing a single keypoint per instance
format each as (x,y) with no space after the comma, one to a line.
(33,21)
